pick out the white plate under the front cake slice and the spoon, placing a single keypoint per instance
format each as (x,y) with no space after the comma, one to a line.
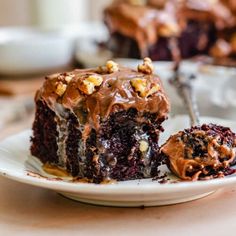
(17,164)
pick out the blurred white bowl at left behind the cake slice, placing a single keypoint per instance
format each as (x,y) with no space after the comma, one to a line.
(32,51)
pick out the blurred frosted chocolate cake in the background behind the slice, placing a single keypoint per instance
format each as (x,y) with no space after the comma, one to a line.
(172,29)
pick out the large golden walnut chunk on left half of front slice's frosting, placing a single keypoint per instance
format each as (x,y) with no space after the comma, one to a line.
(88,85)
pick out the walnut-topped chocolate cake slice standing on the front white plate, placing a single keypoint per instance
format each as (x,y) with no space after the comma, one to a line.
(101,123)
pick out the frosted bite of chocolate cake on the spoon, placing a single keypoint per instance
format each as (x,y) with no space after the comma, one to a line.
(201,152)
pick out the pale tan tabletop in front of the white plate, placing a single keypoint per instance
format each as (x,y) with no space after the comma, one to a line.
(27,210)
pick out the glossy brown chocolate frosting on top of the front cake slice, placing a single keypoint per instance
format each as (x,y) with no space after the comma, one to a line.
(114,94)
